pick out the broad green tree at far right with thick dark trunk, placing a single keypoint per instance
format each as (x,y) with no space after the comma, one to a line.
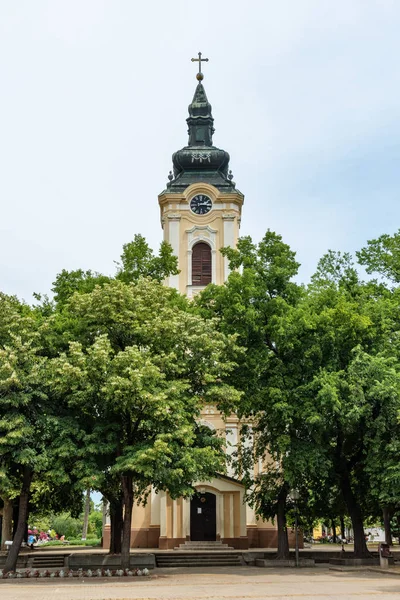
(350,327)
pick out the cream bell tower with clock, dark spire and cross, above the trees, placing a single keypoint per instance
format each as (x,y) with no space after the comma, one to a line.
(200,207)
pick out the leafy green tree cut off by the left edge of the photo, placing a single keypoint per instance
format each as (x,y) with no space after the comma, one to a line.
(36,436)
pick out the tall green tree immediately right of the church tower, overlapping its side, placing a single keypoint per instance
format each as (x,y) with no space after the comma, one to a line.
(256,304)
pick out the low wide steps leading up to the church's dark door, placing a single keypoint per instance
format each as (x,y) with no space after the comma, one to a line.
(200,554)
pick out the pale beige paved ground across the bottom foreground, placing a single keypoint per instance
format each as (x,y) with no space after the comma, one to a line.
(215,584)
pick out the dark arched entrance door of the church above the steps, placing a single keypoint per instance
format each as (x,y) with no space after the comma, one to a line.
(203,518)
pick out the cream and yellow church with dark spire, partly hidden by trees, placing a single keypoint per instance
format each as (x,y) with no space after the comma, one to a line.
(201,210)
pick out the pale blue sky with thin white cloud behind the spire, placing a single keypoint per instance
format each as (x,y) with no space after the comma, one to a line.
(93,102)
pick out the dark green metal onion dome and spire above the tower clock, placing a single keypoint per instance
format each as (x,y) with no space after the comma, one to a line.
(200,160)
